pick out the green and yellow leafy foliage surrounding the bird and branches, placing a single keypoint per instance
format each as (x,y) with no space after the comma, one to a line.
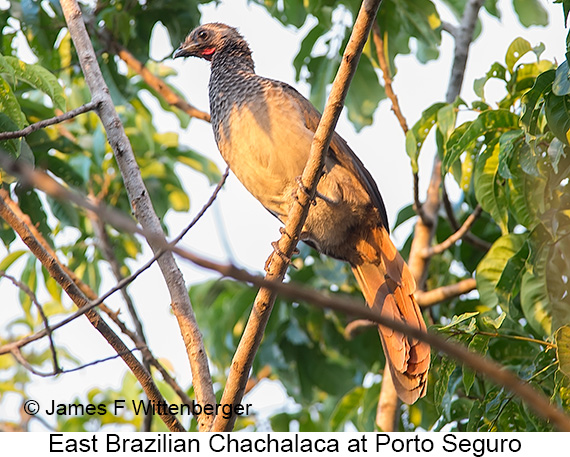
(512,158)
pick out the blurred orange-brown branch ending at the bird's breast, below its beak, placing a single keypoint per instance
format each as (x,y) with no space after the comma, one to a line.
(152,80)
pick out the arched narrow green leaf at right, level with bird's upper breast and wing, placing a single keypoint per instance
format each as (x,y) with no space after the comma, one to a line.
(486,122)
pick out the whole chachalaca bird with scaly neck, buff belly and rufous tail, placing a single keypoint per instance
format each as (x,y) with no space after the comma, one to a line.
(264,129)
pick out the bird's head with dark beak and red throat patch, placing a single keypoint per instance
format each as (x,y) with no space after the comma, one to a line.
(209,40)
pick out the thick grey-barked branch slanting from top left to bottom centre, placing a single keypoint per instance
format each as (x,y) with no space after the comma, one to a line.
(142,206)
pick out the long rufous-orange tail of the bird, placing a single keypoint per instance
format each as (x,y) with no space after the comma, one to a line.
(388,285)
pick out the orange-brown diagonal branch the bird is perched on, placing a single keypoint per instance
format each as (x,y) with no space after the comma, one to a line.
(277,264)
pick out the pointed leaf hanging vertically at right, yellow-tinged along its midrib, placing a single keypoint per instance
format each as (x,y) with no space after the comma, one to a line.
(488,188)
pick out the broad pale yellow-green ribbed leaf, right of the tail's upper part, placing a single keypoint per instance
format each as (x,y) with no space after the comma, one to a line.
(491,268)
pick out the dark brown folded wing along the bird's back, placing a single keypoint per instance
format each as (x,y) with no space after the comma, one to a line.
(340,152)
